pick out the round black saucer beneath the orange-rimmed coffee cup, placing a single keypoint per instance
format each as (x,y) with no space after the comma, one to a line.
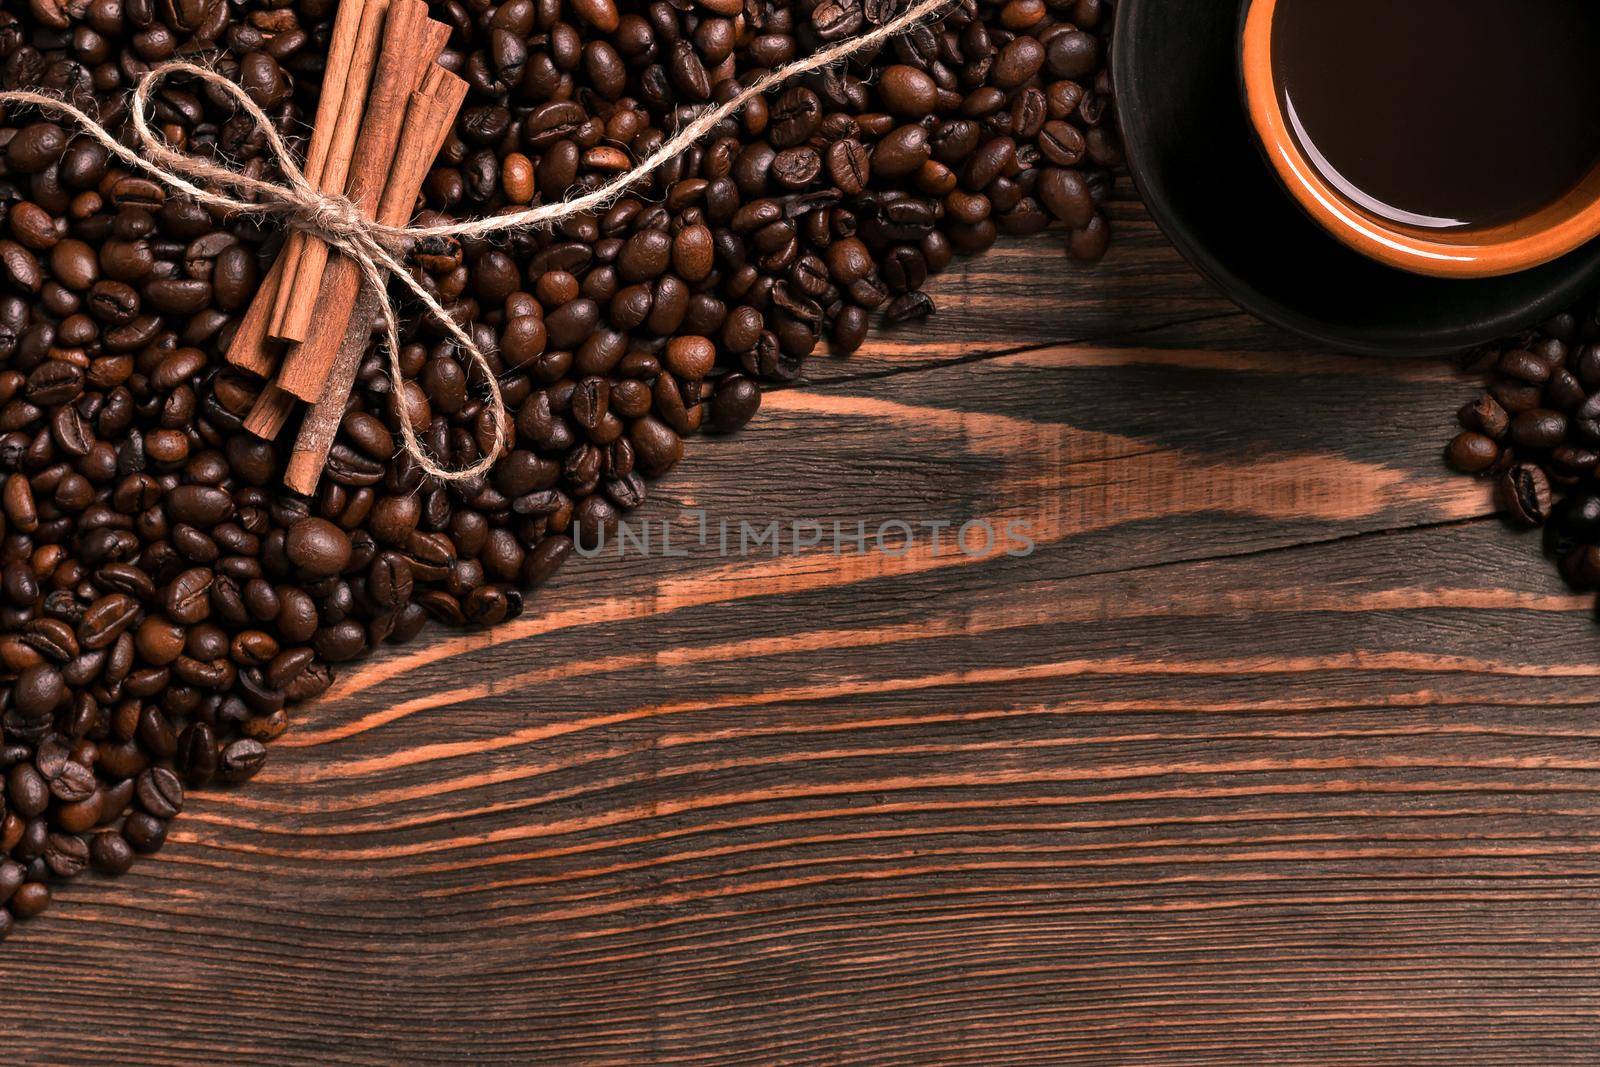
(1202,175)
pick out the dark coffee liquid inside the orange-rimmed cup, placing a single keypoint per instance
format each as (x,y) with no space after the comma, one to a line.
(1444,114)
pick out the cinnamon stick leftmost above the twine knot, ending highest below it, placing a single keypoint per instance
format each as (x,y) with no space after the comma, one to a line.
(292,313)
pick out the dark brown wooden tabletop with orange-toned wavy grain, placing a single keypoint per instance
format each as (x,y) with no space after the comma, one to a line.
(1278,749)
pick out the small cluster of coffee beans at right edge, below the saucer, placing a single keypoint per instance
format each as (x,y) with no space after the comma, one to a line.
(1535,431)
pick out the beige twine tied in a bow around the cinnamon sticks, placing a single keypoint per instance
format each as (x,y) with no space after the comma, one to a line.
(377,249)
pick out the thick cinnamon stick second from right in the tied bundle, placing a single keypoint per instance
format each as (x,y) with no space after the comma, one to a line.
(412,44)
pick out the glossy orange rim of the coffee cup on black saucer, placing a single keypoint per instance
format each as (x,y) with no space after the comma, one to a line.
(1470,254)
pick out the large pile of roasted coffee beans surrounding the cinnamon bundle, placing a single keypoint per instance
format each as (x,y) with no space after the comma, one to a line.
(164,601)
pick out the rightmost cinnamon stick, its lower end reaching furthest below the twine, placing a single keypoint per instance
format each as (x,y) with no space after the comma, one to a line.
(433,116)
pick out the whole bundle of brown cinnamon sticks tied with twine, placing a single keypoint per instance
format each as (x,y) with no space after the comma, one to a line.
(385,114)
